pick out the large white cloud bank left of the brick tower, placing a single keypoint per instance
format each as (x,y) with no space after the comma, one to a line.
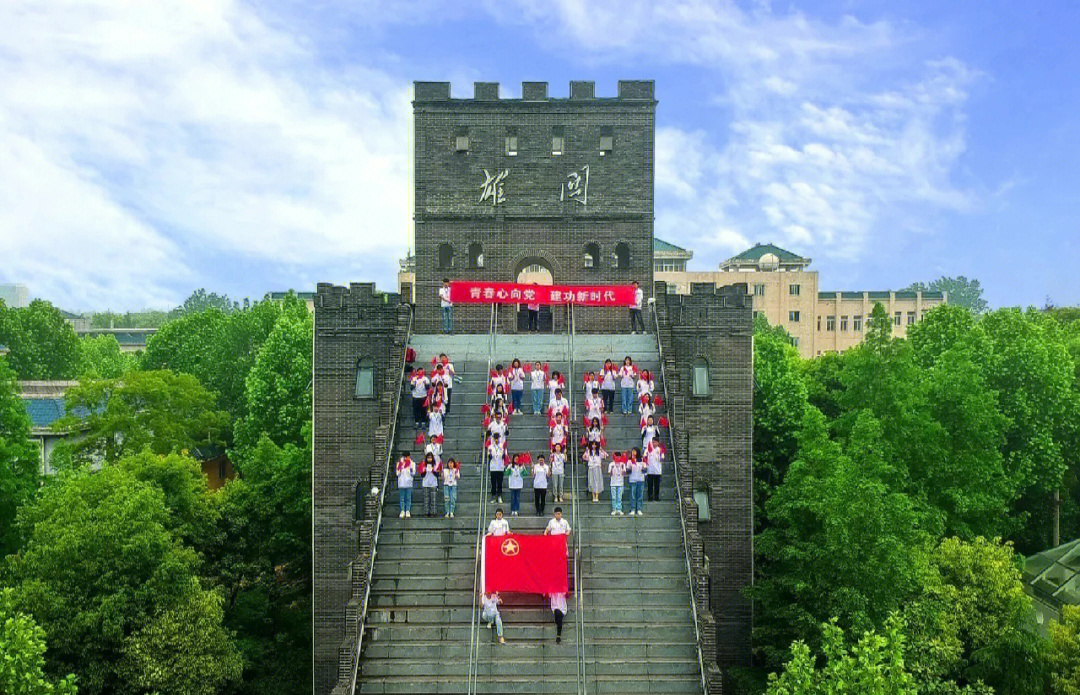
(182,131)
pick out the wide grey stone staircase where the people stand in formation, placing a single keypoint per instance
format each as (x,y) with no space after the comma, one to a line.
(639,631)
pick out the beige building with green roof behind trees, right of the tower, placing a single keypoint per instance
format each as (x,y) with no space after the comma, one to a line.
(787,293)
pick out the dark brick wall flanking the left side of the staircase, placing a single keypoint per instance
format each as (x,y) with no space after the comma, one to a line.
(350,439)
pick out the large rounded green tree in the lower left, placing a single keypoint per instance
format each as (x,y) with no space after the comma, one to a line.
(114,588)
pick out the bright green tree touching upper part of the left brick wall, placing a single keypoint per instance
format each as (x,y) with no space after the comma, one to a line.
(278,388)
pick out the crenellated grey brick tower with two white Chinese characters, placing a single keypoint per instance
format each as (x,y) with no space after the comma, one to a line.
(508,185)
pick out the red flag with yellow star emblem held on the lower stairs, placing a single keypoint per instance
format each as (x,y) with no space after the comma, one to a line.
(525,564)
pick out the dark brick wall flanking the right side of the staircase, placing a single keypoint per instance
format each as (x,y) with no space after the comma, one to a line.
(714,435)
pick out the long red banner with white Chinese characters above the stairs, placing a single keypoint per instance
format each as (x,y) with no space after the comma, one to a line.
(472,293)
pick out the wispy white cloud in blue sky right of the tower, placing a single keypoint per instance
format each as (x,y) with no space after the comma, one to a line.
(839,132)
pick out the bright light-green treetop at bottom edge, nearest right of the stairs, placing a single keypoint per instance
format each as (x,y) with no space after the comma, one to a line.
(872,666)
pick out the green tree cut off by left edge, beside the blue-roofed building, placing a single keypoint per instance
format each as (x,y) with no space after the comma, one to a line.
(19,459)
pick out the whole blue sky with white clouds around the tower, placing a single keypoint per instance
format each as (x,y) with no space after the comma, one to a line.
(152,148)
